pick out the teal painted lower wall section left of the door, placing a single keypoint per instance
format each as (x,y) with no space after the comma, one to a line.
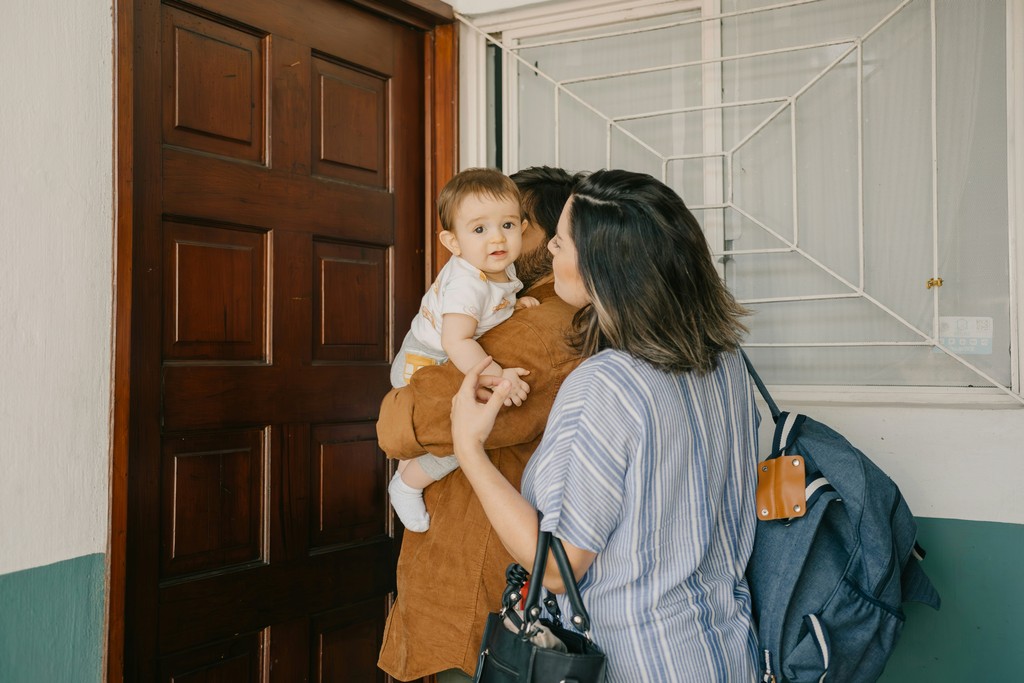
(52,623)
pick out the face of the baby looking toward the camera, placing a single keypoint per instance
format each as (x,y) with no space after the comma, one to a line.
(489,234)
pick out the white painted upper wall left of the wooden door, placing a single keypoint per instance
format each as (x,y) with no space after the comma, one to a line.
(56,275)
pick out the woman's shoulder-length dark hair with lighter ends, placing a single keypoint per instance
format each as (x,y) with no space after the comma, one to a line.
(647,267)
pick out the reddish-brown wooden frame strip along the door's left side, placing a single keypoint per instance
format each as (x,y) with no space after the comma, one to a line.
(124,33)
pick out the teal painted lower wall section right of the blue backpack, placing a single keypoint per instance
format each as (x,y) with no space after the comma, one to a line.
(978,570)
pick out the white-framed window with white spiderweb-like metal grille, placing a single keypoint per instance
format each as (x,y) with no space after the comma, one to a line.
(852,164)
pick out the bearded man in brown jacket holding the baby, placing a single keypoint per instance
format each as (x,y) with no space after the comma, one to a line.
(450,578)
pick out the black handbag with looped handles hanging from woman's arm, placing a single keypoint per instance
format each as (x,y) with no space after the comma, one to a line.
(528,649)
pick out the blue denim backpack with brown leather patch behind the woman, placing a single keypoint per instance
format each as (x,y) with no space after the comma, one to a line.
(828,586)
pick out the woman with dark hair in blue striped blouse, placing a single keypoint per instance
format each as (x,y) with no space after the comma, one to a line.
(648,467)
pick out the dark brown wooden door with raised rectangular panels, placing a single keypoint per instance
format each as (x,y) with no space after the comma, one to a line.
(279,235)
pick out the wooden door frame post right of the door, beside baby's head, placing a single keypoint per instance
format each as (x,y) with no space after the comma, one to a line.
(443,126)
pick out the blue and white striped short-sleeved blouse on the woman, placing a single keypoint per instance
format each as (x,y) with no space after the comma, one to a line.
(656,474)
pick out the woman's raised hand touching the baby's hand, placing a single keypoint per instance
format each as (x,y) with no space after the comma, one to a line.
(473,420)
